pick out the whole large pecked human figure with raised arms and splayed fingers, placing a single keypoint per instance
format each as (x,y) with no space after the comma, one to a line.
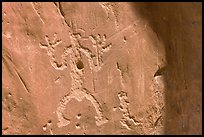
(78,91)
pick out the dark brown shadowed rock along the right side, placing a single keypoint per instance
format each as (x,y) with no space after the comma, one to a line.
(179,26)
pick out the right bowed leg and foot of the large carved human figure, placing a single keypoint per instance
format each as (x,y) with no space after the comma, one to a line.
(100,119)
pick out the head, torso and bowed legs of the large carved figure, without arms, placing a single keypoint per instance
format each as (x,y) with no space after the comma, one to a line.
(78,92)
